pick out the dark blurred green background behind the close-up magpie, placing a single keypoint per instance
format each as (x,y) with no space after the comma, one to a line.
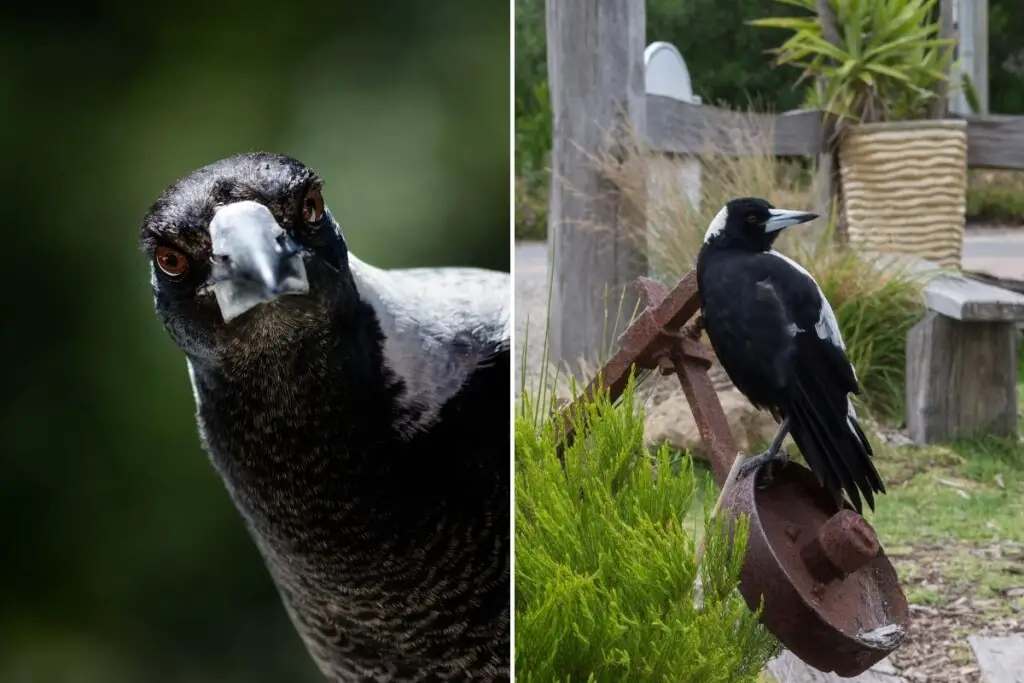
(121,558)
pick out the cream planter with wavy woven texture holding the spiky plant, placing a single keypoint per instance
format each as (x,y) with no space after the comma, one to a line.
(905,188)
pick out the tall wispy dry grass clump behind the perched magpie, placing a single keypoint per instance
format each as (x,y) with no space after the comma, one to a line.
(876,304)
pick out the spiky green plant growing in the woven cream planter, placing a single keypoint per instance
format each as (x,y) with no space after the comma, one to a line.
(886,67)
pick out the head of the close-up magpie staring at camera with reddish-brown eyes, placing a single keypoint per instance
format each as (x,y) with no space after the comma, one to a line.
(244,254)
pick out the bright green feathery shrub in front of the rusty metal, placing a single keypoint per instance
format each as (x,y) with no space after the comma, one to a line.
(605,564)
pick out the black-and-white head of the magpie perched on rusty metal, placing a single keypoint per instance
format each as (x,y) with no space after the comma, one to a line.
(753,224)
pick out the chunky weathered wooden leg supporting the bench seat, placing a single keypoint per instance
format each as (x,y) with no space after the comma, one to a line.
(961,379)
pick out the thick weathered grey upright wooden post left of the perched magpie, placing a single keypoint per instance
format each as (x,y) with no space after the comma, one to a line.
(595,236)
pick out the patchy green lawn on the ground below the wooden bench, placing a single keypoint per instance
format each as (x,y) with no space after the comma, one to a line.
(953,523)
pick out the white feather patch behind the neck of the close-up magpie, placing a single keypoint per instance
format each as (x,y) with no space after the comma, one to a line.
(435,322)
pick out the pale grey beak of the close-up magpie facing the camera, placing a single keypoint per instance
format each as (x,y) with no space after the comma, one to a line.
(255,262)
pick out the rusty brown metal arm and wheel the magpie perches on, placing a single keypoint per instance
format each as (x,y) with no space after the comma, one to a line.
(831,595)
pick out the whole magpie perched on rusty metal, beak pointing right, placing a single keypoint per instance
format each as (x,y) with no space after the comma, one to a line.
(778,339)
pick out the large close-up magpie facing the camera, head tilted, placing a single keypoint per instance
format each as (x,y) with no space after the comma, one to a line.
(359,418)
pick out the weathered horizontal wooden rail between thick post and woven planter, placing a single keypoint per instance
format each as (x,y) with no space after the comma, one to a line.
(675,126)
